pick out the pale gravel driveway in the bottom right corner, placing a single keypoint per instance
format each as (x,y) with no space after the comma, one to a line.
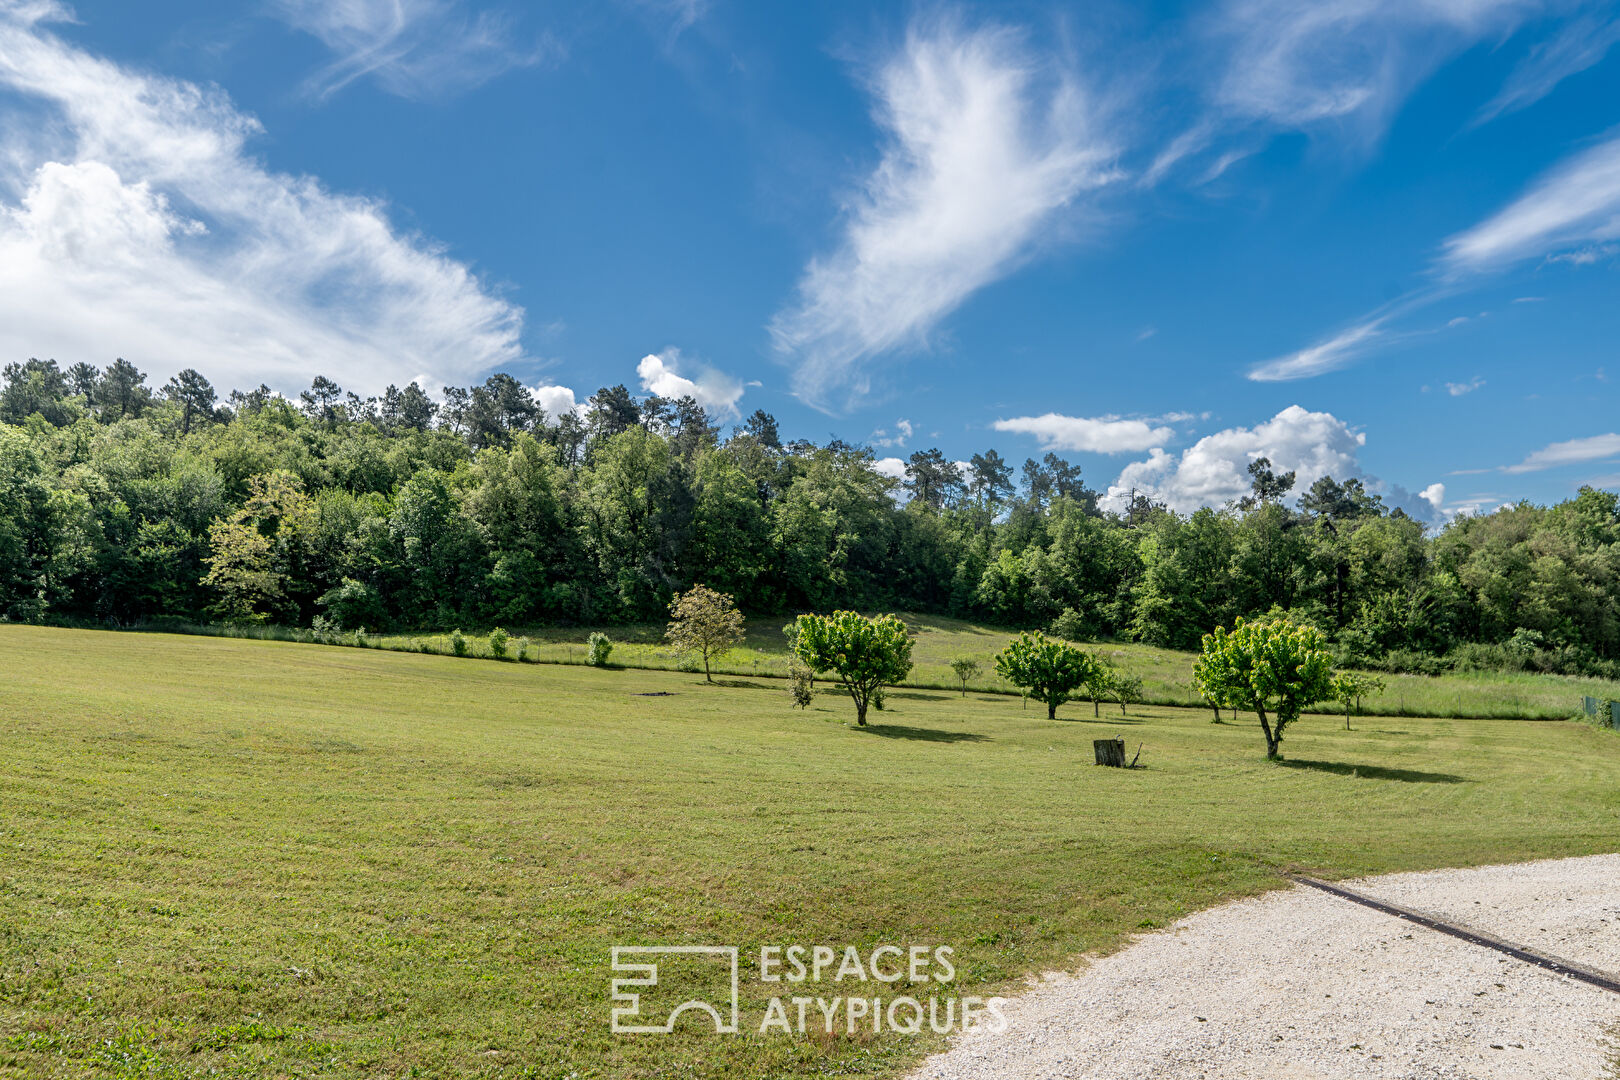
(1302,985)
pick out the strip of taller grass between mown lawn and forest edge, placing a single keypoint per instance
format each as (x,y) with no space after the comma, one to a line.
(1167,676)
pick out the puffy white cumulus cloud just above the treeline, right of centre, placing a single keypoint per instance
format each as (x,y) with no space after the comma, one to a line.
(1216,469)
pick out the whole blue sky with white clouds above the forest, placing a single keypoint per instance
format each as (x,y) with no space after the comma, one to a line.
(1371,239)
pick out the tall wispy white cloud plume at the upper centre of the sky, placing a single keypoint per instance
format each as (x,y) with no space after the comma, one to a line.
(986,147)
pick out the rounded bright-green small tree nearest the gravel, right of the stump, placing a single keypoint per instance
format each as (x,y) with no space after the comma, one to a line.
(1276,668)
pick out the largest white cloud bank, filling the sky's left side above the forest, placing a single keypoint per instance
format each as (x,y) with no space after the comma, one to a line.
(145,229)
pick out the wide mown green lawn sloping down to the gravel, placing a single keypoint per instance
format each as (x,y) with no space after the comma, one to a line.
(228,857)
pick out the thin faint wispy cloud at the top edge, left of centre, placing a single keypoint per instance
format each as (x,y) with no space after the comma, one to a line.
(417,49)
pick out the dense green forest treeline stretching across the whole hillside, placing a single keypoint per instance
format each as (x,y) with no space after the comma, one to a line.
(127,504)
